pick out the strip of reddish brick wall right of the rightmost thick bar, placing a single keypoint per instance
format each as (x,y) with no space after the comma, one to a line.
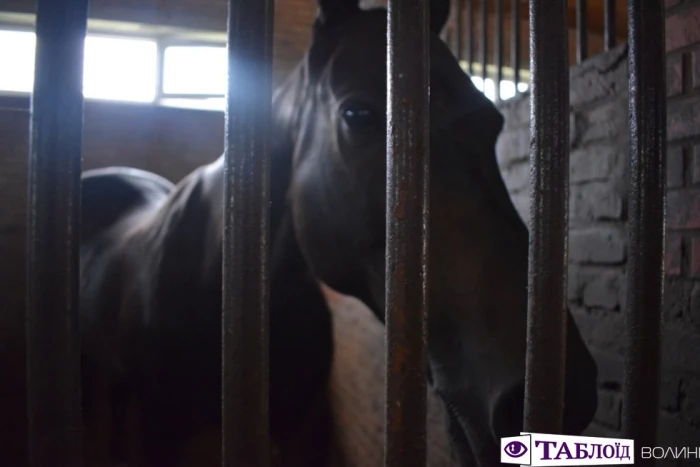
(681,401)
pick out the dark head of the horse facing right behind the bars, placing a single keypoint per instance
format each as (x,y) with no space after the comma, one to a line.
(333,110)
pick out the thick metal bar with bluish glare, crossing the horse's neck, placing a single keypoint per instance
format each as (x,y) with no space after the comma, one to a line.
(245,366)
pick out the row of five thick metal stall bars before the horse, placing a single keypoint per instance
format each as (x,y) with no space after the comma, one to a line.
(53,354)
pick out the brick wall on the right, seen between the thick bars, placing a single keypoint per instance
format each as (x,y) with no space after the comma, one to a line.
(598,205)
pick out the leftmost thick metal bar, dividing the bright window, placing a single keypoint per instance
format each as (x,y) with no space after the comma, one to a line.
(53,224)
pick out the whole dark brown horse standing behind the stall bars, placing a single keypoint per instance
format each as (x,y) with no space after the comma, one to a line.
(151,261)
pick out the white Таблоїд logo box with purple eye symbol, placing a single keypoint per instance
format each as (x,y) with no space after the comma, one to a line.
(540,449)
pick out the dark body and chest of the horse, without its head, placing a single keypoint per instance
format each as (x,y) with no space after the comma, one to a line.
(150,322)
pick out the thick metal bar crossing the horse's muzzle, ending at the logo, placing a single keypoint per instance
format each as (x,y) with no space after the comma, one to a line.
(549,181)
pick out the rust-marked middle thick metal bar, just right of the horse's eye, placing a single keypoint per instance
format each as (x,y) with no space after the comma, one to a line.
(406,232)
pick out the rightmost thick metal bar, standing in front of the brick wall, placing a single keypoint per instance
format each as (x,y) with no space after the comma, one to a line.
(647,200)
